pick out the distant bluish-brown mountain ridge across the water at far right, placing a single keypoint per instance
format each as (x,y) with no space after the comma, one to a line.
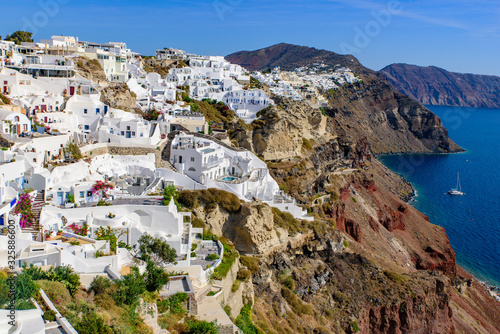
(436,86)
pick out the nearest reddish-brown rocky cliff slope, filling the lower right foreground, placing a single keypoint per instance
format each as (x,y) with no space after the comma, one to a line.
(369,263)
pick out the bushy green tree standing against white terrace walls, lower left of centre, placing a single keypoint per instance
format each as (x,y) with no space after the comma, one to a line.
(156,250)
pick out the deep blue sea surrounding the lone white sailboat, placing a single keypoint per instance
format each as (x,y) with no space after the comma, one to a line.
(471,221)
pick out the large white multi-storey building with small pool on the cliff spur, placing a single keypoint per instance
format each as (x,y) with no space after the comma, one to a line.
(212,165)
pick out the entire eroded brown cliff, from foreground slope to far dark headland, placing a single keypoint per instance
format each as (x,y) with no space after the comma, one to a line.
(369,263)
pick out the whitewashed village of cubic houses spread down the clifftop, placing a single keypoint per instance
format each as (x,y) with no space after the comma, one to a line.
(55,114)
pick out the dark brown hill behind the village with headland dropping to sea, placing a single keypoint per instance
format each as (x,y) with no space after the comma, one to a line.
(371,108)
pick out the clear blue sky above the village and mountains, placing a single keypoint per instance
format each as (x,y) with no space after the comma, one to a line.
(458,35)
